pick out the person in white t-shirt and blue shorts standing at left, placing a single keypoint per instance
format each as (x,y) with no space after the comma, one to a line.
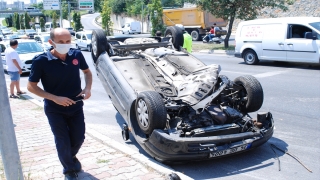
(14,68)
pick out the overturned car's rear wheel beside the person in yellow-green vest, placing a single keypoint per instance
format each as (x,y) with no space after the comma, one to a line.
(176,34)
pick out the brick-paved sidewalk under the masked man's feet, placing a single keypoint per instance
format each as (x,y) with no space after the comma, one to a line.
(99,158)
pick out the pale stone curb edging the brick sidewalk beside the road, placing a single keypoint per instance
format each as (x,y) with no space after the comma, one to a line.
(162,169)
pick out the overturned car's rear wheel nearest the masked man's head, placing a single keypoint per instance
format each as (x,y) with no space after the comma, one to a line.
(98,44)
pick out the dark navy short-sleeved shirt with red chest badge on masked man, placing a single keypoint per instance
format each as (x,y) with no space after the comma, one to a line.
(61,78)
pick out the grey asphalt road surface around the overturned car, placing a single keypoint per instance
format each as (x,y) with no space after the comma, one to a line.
(291,93)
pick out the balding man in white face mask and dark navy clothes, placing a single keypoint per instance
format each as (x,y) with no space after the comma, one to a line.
(58,70)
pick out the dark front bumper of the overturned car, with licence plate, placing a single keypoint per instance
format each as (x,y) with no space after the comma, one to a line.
(167,148)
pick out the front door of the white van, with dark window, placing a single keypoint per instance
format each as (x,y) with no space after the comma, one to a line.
(298,47)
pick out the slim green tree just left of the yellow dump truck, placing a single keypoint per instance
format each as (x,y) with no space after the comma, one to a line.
(156,13)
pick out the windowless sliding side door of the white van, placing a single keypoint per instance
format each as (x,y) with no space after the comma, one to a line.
(273,45)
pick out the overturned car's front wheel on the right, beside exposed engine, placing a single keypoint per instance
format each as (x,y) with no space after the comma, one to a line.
(251,96)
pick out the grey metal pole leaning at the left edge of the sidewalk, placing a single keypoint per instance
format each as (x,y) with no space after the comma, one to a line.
(8,141)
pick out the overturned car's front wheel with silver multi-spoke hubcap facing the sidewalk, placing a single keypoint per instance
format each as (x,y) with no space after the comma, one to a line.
(150,111)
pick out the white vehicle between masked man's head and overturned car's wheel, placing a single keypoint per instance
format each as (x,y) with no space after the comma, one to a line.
(83,39)
